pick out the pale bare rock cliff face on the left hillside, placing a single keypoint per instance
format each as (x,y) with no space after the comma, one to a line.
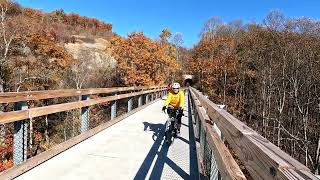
(94,67)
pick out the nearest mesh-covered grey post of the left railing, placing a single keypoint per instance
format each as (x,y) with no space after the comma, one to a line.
(20,136)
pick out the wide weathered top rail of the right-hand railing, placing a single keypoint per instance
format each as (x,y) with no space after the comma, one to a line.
(262,159)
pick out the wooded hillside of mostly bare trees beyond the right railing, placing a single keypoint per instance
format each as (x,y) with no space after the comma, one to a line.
(268,75)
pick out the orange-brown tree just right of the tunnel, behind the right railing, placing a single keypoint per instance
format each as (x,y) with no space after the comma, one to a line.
(215,65)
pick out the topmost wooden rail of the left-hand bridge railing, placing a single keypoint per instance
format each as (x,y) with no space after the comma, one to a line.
(38,95)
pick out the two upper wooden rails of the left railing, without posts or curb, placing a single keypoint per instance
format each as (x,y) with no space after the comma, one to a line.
(40,111)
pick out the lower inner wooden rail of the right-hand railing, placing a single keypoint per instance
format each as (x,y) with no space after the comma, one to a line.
(228,168)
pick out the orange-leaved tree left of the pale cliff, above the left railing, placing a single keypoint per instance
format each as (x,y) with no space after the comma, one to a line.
(40,65)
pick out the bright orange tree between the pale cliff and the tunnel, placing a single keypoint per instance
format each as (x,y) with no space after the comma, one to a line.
(143,61)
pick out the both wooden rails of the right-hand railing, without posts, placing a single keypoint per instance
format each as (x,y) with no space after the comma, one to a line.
(261,158)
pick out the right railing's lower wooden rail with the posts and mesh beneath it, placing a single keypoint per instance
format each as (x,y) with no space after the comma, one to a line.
(215,159)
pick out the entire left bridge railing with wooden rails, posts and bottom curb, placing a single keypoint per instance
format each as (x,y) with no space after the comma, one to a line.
(23,114)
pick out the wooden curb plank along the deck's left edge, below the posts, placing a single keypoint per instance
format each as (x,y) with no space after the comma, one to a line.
(41,158)
